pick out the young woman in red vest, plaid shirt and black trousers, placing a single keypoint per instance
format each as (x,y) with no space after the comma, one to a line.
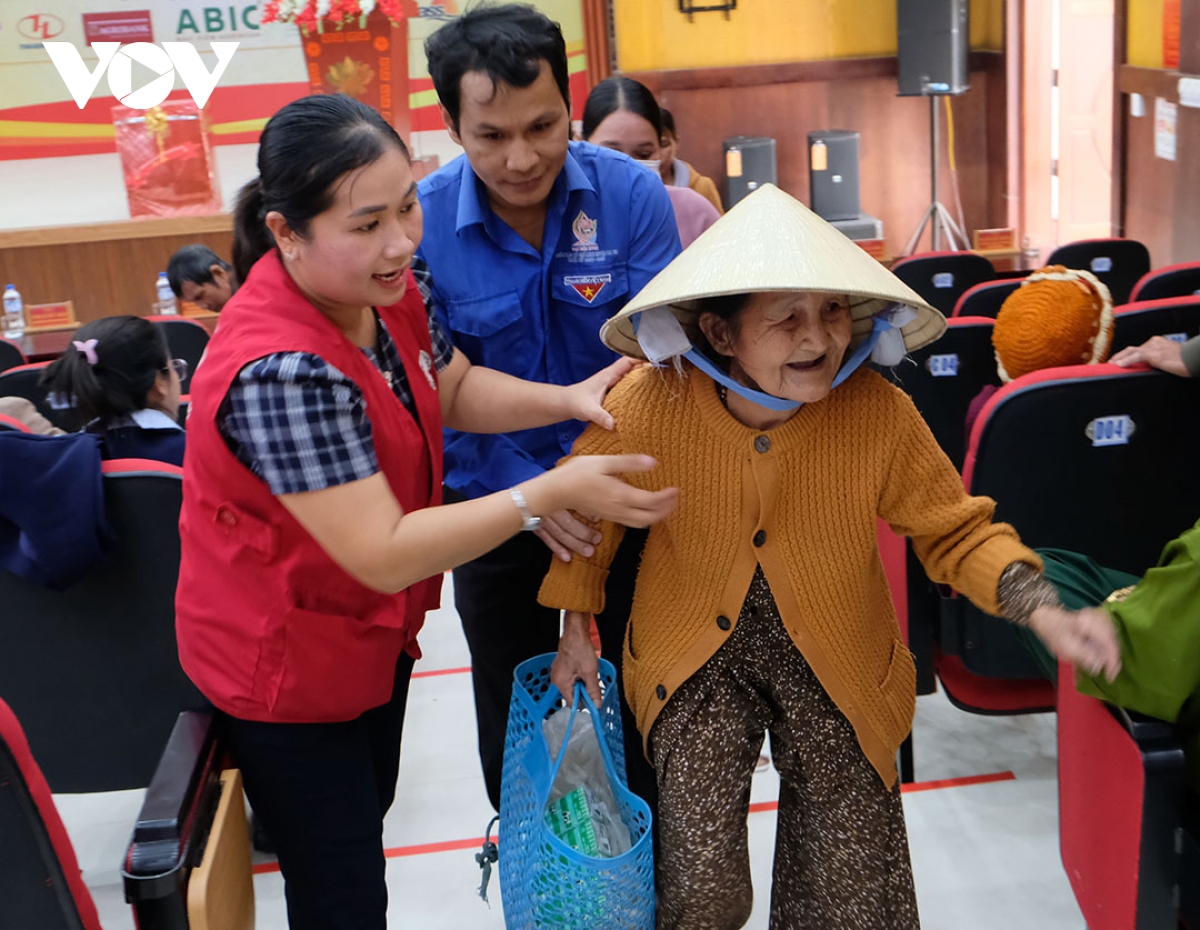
(313,539)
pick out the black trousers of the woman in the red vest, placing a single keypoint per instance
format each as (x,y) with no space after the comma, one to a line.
(321,793)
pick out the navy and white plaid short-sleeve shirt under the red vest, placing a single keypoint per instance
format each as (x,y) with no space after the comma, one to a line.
(301,424)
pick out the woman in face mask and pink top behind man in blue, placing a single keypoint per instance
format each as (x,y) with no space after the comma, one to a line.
(622,115)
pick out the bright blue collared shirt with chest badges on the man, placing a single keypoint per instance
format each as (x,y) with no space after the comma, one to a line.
(610,229)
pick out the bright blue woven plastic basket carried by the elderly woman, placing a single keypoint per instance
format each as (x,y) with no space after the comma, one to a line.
(544,883)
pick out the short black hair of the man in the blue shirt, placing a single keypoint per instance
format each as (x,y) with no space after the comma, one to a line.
(507,41)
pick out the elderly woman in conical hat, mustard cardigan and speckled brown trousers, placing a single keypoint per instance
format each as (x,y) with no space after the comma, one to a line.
(761,603)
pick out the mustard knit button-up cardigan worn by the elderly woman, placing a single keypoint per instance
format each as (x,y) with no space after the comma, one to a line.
(802,501)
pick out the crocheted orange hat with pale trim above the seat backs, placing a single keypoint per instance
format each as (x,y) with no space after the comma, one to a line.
(1058,317)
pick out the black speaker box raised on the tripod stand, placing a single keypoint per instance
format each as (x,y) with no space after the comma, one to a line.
(933,46)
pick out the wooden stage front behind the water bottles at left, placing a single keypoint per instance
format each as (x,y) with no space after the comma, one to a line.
(109,268)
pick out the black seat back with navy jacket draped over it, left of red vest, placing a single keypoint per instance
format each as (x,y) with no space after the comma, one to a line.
(93,671)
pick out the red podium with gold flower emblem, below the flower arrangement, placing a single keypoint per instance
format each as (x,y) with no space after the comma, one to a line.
(369,64)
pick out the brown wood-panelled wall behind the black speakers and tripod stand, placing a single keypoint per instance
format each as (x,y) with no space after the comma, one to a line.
(788,101)
